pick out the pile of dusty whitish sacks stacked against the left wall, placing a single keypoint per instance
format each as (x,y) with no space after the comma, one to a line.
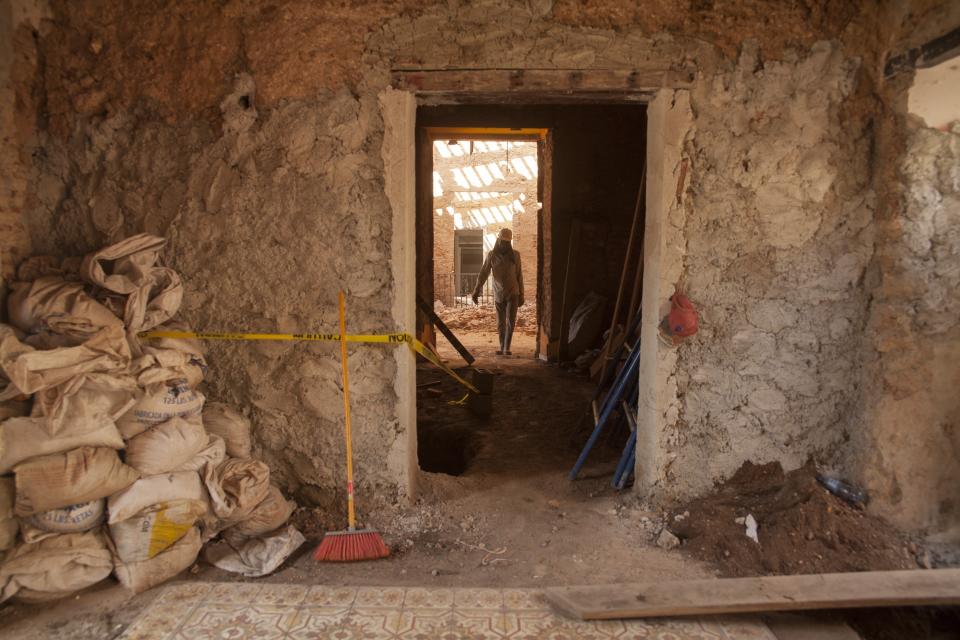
(110,461)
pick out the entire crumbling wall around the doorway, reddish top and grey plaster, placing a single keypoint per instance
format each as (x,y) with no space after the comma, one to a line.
(264,168)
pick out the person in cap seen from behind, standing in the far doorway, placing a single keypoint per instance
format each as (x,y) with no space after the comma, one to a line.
(504,263)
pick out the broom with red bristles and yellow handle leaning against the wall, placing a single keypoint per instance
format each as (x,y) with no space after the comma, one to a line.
(349,545)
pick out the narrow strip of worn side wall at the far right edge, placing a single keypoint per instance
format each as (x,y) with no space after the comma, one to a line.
(909,450)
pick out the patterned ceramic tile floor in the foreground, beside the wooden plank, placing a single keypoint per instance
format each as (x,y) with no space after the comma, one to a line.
(242,611)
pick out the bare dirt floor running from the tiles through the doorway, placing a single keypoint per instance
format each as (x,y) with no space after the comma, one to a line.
(511,519)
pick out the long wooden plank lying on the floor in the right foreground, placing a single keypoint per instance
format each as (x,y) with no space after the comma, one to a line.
(773,593)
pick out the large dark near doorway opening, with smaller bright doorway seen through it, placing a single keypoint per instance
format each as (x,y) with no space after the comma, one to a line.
(564,178)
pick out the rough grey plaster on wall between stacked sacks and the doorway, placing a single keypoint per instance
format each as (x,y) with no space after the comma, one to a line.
(266,221)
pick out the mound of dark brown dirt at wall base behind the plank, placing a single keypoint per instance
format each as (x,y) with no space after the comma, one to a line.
(801,527)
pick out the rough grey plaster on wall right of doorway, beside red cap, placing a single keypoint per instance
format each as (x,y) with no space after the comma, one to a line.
(778,234)
